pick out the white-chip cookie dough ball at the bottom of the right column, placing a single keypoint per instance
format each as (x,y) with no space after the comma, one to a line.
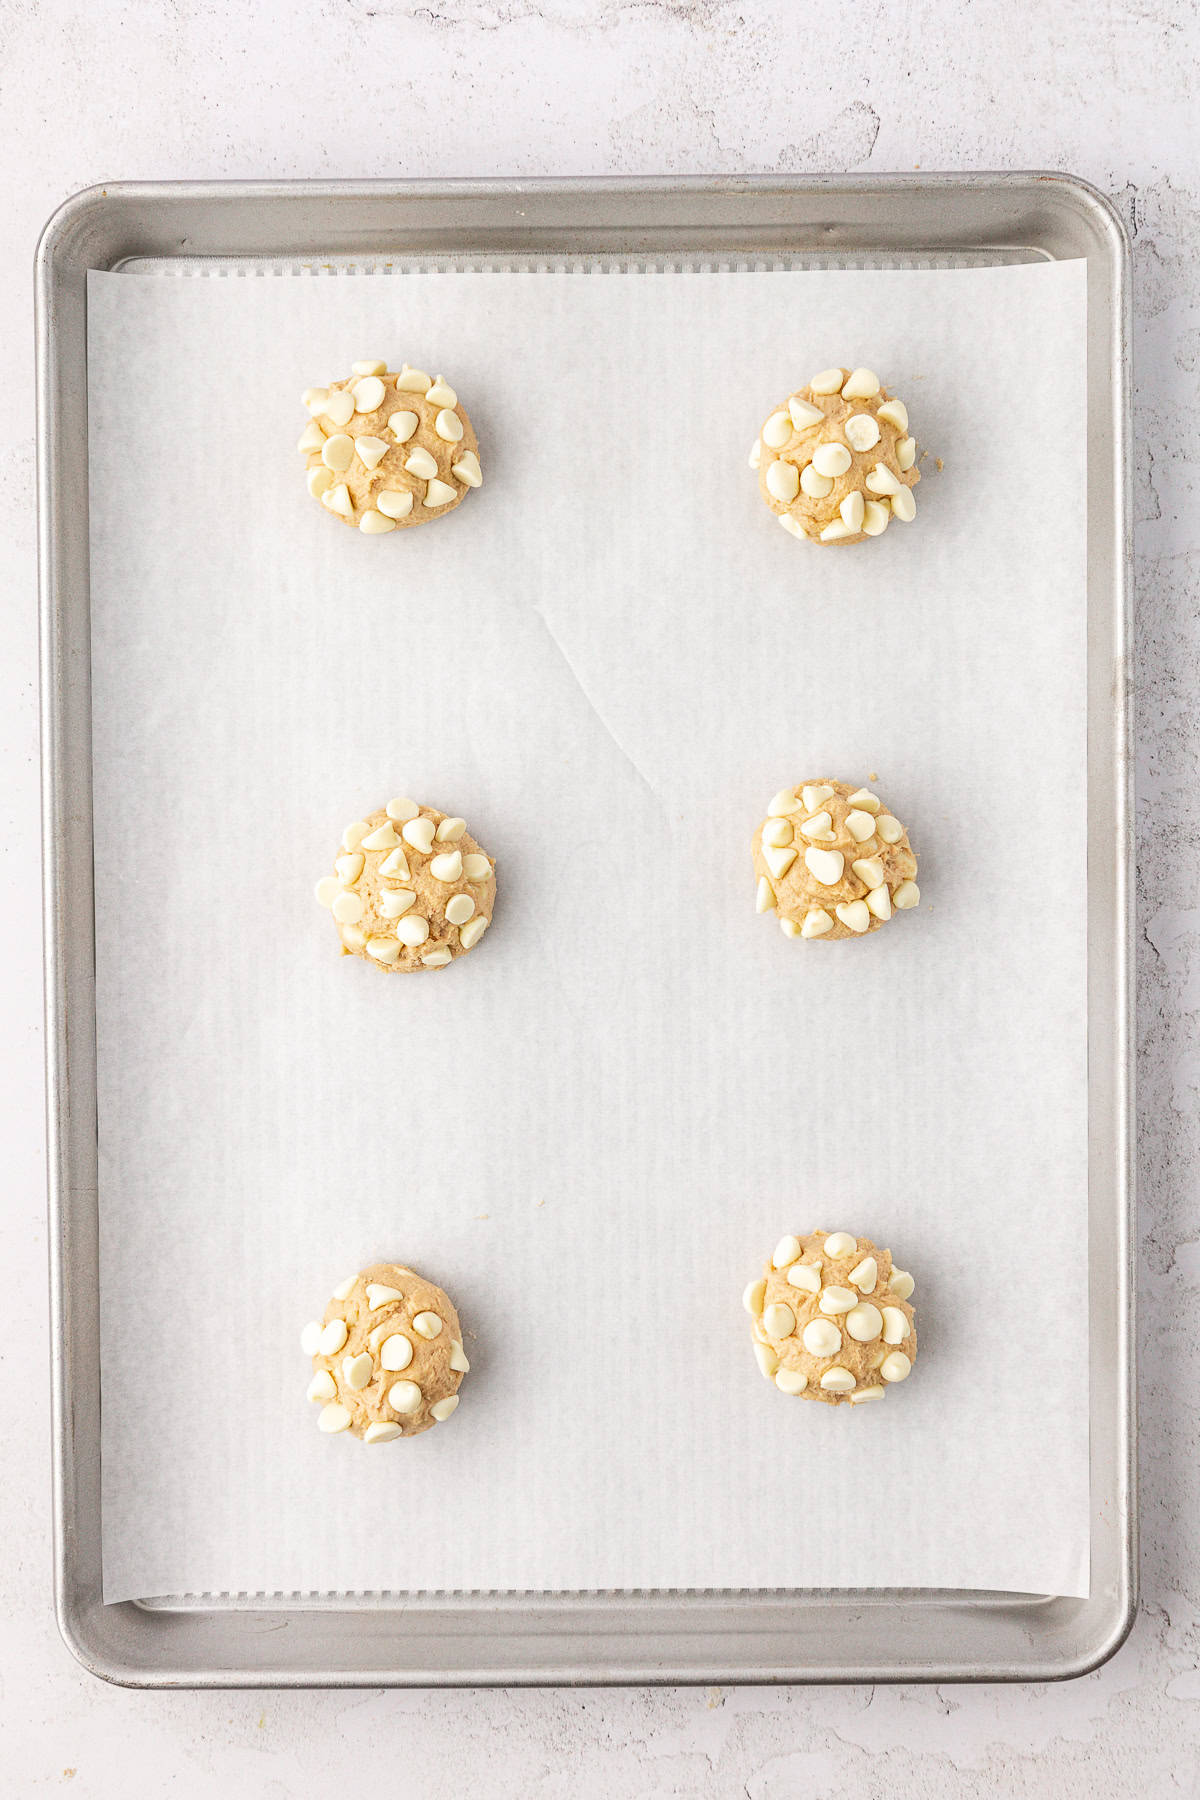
(832,1318)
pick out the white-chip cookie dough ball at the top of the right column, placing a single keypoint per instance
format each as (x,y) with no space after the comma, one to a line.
(836,462)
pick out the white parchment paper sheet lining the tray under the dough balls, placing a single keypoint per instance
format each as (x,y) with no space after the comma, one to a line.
(593,1133)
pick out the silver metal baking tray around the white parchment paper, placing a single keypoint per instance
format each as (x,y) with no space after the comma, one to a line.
(647,1637)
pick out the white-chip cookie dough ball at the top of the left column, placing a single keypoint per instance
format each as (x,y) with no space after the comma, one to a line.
(390,451)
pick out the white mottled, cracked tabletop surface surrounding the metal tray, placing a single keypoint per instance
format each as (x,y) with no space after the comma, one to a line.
(381,87)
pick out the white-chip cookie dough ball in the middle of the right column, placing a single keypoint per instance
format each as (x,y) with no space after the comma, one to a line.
(832,861)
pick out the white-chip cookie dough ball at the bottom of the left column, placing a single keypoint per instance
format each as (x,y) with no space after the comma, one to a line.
(388,1356)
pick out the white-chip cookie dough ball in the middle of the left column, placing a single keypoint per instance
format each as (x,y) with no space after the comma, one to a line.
(411,888)
